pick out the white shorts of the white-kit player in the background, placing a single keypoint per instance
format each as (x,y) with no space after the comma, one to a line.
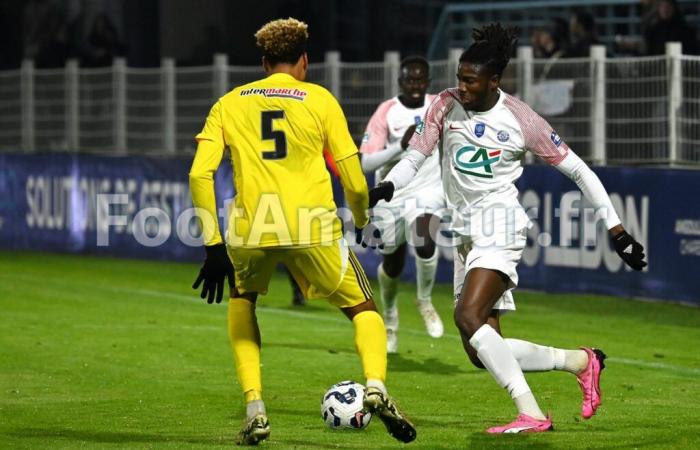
(394,219)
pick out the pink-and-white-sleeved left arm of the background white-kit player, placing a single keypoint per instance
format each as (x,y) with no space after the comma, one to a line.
(375,149)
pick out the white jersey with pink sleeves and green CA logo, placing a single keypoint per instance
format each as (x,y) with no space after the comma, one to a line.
(483,151)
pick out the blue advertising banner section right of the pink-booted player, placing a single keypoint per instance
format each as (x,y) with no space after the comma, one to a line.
(657,206)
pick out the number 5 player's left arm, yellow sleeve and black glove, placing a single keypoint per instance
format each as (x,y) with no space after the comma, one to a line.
(210,151)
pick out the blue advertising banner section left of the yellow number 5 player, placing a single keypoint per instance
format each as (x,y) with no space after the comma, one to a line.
(57,202)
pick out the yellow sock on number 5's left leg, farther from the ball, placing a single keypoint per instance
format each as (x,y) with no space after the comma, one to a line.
(245,342)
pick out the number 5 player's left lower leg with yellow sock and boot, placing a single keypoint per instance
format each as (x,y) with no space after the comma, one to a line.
(244,335)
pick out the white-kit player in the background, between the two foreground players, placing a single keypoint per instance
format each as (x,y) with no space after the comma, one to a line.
(408,216)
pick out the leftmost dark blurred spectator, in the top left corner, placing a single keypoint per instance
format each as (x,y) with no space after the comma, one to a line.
(44,33)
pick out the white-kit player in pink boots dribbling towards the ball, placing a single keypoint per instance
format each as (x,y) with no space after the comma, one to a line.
(482,134)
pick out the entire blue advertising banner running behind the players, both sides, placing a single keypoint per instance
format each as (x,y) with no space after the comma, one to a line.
(141,207)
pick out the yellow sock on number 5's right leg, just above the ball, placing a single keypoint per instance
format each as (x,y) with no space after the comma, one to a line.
(370,340)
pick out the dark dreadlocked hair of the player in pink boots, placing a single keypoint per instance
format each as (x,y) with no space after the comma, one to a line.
(492,48)
